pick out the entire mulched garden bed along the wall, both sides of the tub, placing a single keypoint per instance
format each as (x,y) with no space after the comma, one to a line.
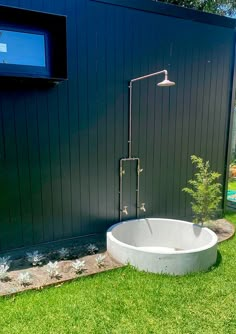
(39,273)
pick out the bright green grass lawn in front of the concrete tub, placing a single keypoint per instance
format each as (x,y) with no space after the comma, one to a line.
(126,301)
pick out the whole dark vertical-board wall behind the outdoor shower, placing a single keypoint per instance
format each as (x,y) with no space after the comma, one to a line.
(60,146)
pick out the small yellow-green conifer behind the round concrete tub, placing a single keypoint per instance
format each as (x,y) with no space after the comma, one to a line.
(204,190)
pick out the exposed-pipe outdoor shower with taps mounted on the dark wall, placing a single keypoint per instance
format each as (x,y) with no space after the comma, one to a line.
(124,210)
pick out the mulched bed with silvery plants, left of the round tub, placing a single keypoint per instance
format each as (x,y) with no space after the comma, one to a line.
(39,275)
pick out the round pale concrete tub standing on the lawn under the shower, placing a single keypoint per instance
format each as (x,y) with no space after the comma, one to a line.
(163,245)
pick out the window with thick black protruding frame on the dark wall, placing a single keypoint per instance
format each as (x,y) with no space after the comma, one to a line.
(32,46)
